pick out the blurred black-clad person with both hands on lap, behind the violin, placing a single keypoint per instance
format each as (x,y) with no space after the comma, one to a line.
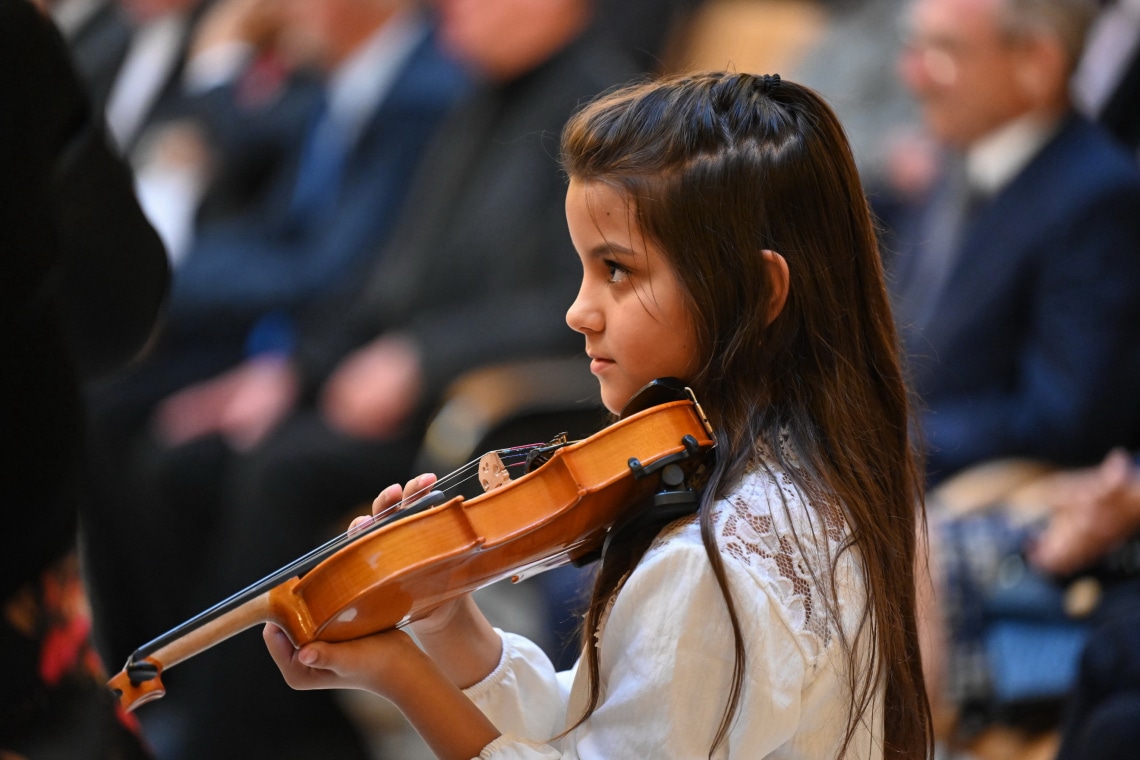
(256,467)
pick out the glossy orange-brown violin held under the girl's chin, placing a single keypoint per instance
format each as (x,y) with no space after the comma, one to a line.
(430,549)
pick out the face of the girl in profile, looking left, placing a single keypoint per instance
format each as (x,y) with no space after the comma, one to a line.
(631,306)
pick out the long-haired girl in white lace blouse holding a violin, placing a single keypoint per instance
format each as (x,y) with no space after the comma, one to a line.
(724,241)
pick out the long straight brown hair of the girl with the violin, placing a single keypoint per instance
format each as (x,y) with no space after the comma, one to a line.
(719,168)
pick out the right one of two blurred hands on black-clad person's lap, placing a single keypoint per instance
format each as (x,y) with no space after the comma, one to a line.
(374,391)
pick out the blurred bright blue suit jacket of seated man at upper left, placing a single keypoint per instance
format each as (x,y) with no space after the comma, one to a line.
(241,268)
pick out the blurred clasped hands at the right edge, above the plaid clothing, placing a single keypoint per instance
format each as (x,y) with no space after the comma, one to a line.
(1095,510)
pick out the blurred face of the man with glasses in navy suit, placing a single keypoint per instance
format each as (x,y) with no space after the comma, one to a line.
(966,69)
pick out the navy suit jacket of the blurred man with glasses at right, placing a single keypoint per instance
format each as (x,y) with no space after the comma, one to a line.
(1033,349)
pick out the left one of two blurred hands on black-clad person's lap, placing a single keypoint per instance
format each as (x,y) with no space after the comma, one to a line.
(242,405)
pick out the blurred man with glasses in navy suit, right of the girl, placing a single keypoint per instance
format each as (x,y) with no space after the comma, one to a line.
(1017,283)
